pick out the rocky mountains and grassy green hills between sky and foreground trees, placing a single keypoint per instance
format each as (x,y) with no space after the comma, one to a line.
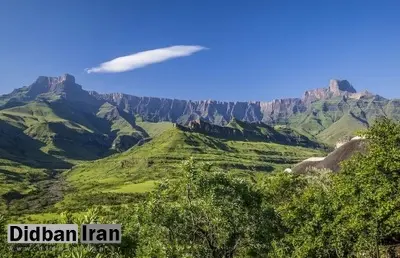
(59,142)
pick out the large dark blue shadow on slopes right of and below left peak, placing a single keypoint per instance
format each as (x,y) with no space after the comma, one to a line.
(85,145)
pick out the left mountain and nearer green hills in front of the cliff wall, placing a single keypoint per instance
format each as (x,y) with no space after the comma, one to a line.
(115,155)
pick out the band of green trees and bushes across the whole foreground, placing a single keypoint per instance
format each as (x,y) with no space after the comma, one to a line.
(209,212)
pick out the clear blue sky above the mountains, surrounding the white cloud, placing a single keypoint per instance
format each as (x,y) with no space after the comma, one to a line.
(256,50)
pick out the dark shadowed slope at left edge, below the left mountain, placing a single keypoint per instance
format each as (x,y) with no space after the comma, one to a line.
(17,146)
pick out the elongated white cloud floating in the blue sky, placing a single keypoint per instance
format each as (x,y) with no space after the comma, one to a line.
(142,59)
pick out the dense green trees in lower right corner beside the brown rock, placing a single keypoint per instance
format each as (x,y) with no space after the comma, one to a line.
(352,213)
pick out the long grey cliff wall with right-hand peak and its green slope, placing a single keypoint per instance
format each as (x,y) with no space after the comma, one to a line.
(326,113)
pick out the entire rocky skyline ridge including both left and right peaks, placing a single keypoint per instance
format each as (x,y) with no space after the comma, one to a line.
(326,114)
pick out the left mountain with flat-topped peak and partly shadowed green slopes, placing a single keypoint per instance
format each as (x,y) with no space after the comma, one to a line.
(62,120)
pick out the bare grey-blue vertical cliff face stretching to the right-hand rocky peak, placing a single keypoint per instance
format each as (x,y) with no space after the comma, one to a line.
(218,112)
